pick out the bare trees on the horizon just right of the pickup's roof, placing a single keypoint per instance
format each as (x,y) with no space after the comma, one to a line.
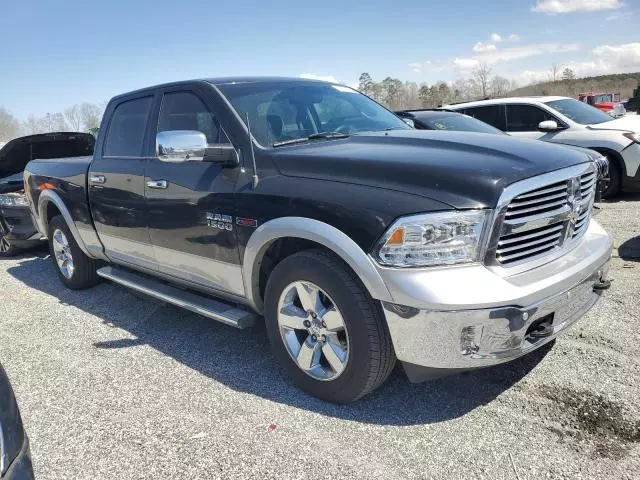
(398,95)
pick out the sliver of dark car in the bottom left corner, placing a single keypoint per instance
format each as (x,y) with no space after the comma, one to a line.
(15,455)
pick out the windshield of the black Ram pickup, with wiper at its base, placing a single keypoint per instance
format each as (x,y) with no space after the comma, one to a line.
(282,112)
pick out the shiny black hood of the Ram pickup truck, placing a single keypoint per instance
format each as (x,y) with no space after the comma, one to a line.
(462,169)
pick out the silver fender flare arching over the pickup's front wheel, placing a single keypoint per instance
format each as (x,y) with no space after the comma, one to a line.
(322,233)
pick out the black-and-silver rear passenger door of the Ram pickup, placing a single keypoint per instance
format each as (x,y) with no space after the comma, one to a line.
(116,184)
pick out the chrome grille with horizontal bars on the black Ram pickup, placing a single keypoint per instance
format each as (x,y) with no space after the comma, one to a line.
(544,219)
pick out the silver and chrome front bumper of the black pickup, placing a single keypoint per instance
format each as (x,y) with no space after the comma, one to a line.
(462,318)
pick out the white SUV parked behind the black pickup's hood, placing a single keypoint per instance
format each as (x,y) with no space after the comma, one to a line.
(566,120)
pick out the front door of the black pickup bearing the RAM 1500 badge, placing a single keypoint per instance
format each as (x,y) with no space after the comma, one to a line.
(191,204)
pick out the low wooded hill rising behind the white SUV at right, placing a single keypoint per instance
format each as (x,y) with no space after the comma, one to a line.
(622,83)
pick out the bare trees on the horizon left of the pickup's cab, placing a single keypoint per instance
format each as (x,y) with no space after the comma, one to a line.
(82,117)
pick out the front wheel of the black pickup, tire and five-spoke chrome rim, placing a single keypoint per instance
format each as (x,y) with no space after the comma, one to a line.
(365,338)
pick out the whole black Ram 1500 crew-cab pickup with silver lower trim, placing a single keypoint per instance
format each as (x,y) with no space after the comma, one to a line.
(359,239)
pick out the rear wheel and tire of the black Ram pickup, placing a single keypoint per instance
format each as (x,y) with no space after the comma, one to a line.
(80,271)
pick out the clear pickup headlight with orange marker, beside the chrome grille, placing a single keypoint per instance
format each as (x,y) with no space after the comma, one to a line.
(444,238)
